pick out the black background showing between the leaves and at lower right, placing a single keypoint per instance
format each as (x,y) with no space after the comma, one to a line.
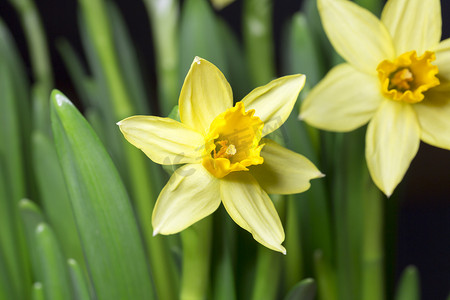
(419,231)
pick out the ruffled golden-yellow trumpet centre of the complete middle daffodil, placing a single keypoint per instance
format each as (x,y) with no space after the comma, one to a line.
(232,143)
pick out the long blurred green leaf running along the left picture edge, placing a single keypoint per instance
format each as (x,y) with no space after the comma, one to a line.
(13,180)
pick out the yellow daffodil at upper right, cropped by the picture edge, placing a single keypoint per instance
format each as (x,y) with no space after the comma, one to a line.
(396,78)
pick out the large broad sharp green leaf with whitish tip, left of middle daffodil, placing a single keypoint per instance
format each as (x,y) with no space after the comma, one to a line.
(104,217)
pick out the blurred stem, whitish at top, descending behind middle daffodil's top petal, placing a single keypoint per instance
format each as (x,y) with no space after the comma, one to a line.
(164,20)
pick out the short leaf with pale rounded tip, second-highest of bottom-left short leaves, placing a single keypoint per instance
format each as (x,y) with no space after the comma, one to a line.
(52,269)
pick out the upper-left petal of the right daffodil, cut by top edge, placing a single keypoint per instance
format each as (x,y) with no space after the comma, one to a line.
(356,34)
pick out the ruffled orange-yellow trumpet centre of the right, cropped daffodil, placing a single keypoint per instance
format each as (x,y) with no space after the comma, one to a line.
(408,76)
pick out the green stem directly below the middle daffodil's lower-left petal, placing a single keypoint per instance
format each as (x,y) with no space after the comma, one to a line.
(196,242)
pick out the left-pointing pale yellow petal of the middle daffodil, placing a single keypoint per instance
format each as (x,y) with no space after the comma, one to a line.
(163,140)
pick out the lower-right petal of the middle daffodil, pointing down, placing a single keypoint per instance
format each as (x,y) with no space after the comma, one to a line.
(251,208)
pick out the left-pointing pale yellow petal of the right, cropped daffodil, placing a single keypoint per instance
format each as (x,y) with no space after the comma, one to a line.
(344,100)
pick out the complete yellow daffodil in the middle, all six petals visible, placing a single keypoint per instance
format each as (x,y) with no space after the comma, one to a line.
(225,158)
